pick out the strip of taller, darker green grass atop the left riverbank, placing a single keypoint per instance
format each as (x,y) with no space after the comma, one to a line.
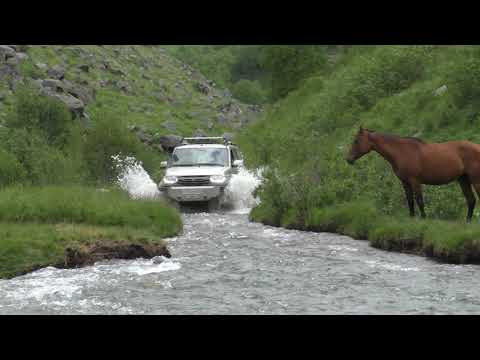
(80,205)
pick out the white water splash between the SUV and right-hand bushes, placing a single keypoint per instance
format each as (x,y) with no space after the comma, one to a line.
(239,192)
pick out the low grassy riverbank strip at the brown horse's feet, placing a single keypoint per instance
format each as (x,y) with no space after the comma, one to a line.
(445,241)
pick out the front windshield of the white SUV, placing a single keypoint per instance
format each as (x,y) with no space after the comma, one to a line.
(200,156)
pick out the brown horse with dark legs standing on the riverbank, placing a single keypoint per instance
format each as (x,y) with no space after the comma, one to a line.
(416,162)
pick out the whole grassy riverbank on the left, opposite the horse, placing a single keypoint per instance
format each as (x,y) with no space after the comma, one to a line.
(40,226)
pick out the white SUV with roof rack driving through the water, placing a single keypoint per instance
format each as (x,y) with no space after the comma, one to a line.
(199,170)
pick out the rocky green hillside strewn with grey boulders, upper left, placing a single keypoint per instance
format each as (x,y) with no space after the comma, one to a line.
(154,93)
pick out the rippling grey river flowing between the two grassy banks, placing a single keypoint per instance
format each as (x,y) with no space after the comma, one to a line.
(224,264)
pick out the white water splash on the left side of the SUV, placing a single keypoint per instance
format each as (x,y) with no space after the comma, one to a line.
(134,179)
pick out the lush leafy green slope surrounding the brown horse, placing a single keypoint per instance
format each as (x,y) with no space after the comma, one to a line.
(425,91)
